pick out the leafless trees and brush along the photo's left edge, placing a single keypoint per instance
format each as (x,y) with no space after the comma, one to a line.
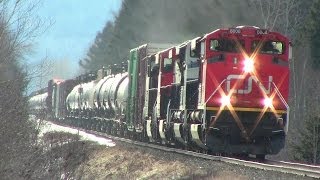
(18,27)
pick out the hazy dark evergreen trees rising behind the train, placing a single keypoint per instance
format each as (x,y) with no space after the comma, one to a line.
(165,21)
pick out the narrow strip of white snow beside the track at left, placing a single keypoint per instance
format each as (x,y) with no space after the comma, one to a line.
(49,127)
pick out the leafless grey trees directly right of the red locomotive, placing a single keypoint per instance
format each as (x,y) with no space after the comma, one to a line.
(288,17)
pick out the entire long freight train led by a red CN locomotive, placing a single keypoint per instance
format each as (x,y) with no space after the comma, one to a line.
(224,92)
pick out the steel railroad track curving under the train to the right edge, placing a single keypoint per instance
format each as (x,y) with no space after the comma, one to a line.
(271,165)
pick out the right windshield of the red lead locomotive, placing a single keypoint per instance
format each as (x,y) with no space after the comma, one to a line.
(268,47)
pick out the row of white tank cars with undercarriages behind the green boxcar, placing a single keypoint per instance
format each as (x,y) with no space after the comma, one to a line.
(99,103)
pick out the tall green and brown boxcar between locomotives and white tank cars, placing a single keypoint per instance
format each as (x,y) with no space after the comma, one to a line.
(138,82)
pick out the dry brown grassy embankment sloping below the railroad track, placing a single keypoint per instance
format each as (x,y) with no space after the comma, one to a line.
(73,159)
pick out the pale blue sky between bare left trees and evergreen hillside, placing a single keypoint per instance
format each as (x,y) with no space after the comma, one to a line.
(75,25)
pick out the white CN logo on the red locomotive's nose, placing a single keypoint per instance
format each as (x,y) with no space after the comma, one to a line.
(248,88)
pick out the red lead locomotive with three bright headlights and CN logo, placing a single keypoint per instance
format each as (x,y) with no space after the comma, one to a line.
(245,89)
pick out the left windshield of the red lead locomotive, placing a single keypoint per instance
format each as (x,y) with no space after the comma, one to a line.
(226,45)
